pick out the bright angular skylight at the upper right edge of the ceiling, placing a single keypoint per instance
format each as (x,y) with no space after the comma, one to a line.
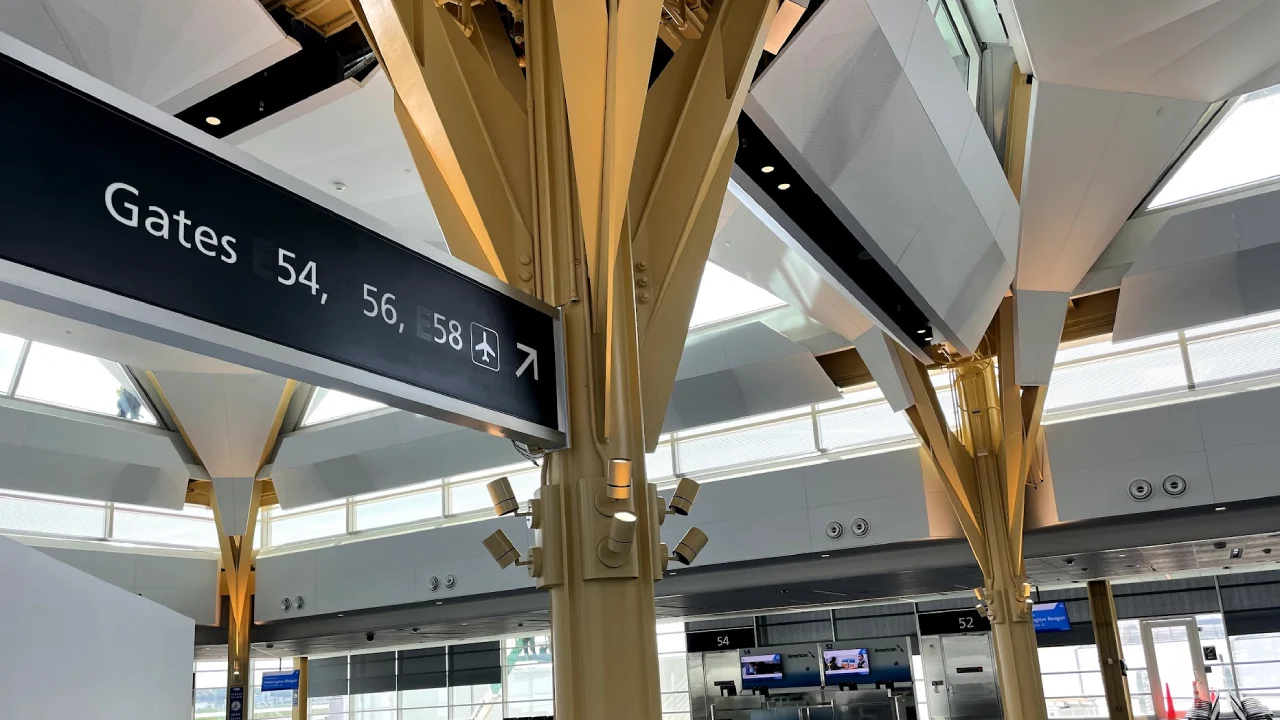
(1242,151)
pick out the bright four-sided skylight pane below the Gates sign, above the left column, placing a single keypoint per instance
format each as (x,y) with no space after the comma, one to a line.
(81,382)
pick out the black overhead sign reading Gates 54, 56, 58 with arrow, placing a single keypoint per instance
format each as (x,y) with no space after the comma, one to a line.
(117,215)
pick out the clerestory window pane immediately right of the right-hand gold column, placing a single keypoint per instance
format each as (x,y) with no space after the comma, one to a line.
(1117,379)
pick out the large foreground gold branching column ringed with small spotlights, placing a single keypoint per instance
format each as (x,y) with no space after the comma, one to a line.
(555,165)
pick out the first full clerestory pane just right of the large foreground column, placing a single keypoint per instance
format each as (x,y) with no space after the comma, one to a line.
(752,445)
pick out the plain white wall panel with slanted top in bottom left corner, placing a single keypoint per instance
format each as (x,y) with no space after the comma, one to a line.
(72,646)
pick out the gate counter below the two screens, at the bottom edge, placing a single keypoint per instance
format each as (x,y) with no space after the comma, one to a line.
(819,705)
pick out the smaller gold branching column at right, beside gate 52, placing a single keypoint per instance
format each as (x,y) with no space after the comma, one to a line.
(985,466)
